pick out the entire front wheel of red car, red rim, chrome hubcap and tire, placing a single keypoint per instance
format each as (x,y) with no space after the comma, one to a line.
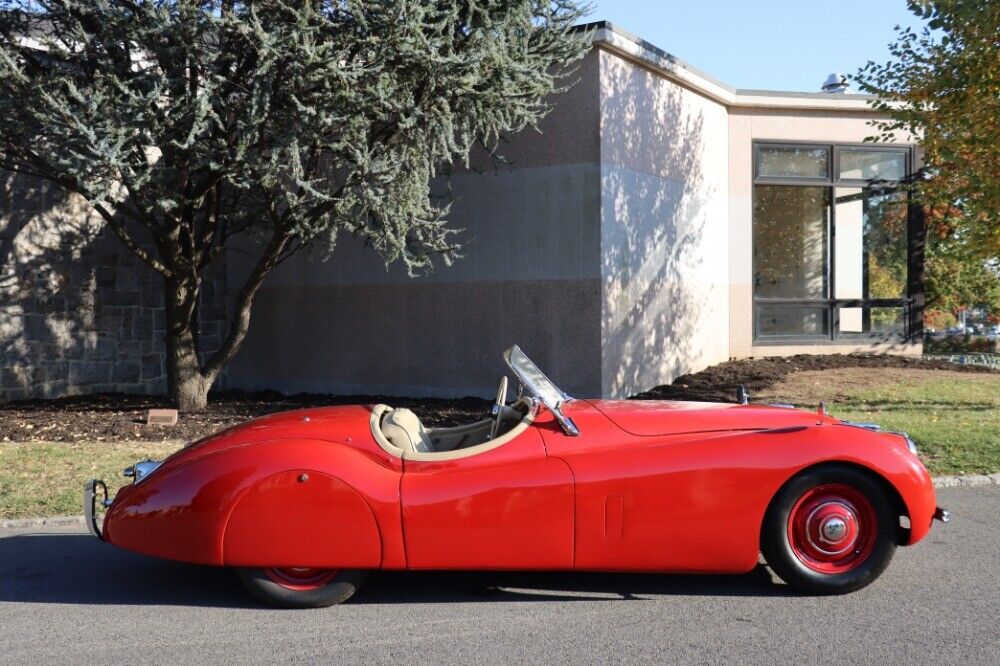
(830,530)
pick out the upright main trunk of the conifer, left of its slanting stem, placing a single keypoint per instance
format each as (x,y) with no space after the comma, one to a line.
(187,386)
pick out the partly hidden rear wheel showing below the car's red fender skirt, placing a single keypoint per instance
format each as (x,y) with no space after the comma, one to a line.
(302,587)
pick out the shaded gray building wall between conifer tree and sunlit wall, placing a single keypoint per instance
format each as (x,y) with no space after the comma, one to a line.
(529,275)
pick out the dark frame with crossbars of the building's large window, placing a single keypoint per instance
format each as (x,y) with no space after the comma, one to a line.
(911,324)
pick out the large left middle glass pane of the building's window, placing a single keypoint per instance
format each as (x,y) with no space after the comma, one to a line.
(789,241)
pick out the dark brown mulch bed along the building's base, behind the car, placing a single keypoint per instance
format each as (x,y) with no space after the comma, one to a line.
(116,417)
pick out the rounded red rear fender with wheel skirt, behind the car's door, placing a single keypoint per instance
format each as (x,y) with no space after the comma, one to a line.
(245,506)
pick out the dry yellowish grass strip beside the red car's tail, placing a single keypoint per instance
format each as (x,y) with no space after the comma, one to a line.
(46,479)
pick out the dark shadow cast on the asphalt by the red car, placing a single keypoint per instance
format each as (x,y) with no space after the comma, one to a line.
(78,569)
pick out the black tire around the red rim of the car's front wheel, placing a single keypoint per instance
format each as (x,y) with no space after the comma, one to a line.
(791,568)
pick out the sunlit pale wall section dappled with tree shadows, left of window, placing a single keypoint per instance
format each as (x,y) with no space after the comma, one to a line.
(664,231)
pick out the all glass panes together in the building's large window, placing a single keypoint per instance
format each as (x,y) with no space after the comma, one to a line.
(831,251)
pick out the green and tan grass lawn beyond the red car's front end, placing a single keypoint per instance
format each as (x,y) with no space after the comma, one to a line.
(953,417)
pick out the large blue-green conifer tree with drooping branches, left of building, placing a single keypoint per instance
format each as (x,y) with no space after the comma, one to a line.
(187,122)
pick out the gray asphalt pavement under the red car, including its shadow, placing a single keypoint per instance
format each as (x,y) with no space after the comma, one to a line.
(66,597)
